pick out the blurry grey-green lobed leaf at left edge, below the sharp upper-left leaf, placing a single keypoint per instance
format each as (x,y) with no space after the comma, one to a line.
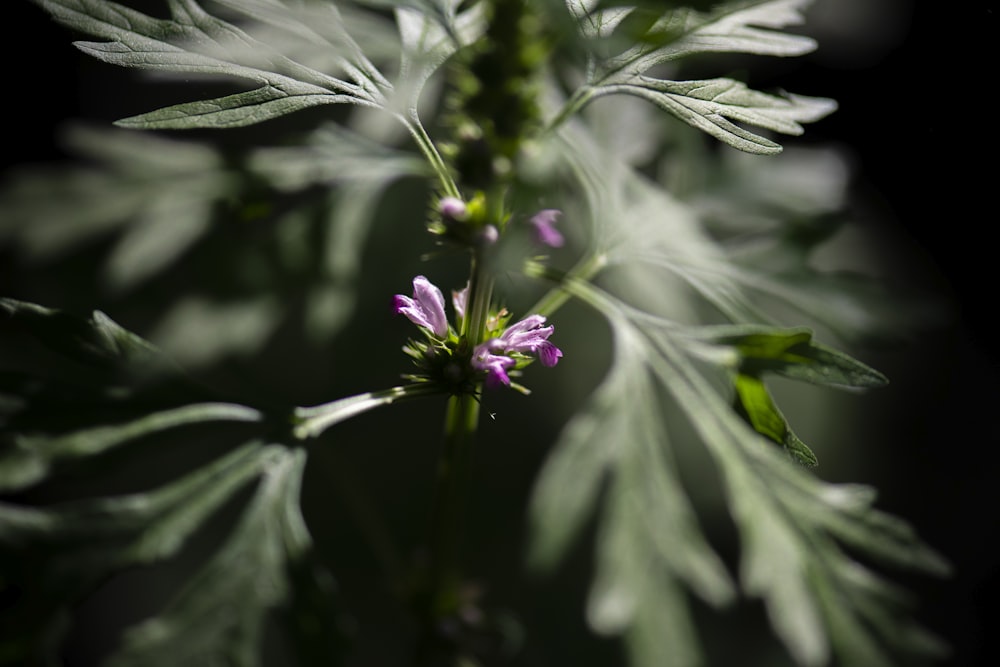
(159,194)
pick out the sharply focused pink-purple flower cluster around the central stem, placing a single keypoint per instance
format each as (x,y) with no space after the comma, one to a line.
(447,358)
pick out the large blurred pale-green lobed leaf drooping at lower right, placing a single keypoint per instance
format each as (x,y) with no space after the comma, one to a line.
(790,523)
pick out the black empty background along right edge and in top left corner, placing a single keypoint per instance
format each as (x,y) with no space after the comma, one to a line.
(916,113)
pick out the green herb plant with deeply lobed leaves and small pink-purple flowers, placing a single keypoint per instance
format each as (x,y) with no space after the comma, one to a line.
(570,235)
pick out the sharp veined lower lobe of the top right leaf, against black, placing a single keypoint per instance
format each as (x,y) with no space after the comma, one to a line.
(710,105)
